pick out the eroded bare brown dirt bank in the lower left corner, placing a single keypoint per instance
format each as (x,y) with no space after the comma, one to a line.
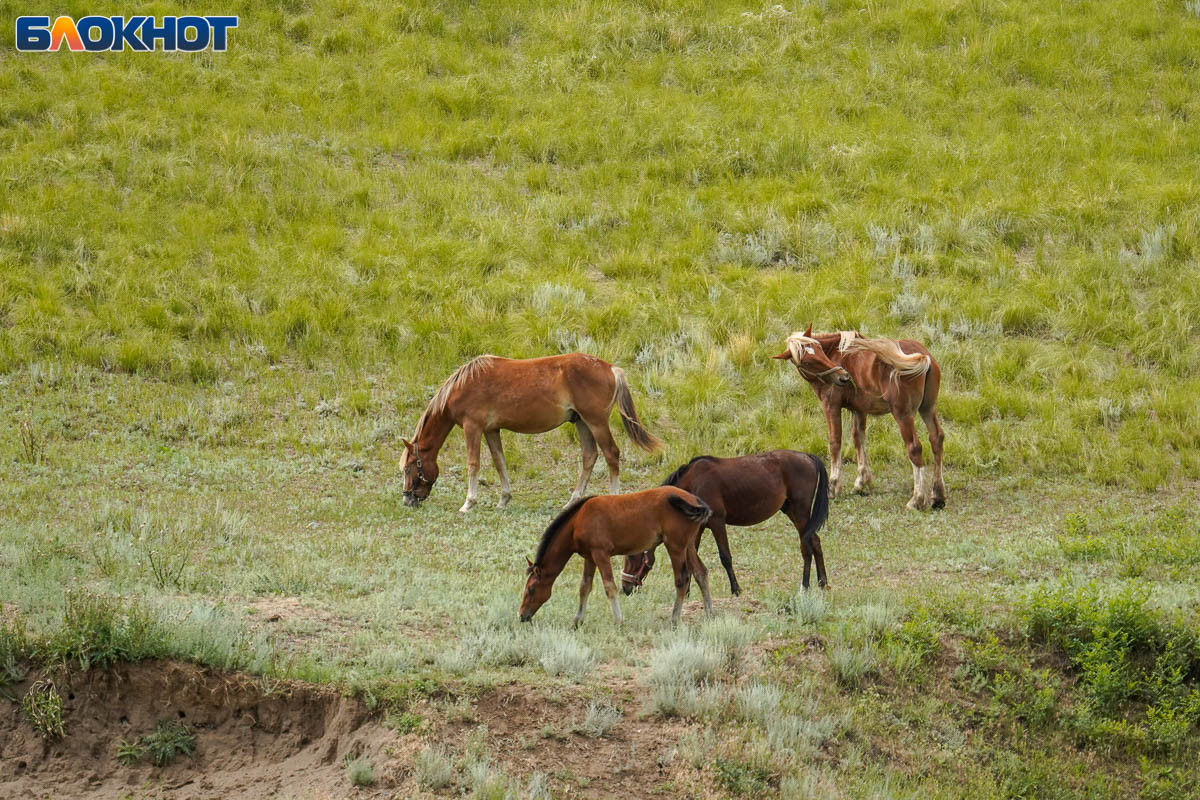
(254,739)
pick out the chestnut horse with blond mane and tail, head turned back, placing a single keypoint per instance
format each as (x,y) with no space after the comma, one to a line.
(874,376)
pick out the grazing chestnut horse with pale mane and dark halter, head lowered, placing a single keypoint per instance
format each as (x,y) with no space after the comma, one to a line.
(491,394)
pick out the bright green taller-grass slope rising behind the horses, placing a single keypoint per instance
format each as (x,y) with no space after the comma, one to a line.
(386,193)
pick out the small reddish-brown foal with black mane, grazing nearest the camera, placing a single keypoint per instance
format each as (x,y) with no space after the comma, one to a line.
(619,525)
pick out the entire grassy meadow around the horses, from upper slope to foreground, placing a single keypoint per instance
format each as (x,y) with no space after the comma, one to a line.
(231,281)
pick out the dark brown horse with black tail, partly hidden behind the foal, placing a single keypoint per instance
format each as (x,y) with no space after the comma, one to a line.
(747,491)
